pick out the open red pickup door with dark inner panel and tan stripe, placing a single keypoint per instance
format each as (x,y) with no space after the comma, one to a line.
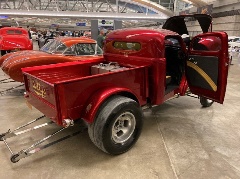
(207,65)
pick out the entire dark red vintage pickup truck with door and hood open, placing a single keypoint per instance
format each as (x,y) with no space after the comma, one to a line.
(140,68)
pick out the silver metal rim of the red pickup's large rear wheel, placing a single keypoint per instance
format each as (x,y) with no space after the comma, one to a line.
(123,127)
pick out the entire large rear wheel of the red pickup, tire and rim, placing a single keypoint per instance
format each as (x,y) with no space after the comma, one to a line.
(117,125)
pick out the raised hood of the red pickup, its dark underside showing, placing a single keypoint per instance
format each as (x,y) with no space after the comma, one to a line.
(178,23)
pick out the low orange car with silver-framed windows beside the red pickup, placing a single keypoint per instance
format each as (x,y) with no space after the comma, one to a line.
(61,49)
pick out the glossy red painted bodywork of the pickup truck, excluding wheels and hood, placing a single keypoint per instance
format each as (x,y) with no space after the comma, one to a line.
(70,91)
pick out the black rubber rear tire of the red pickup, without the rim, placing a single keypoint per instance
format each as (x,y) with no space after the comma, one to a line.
(100,130)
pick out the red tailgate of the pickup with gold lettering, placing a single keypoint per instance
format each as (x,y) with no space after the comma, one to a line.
(41,95)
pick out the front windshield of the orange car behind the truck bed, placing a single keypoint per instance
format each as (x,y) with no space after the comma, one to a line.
(54,46)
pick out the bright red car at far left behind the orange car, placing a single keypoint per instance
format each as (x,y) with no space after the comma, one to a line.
(14,39)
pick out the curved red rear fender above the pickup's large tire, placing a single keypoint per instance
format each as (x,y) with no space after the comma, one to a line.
(95,101)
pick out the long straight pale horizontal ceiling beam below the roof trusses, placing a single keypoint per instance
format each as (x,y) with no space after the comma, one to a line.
(76,14)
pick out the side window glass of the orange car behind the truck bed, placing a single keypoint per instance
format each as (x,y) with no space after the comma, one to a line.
(84,49)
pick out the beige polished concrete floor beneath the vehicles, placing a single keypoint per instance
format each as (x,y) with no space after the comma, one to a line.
(179,140)
